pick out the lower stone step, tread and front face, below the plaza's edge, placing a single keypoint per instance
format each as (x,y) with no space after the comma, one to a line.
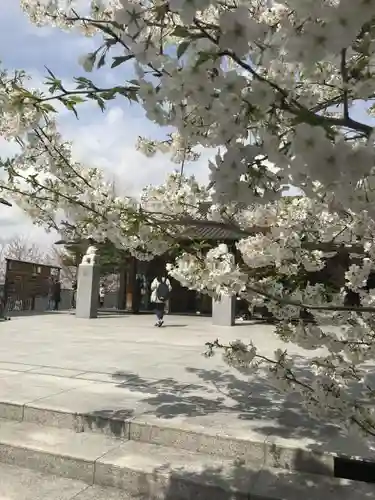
(153,472)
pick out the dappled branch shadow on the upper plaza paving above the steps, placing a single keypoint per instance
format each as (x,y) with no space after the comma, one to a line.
(221,399)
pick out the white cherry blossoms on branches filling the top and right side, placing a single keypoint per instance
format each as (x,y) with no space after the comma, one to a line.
(274,87)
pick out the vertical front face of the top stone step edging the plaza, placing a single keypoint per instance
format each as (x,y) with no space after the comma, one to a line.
(252,447)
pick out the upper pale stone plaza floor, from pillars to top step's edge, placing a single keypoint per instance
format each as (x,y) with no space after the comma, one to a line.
(122,365)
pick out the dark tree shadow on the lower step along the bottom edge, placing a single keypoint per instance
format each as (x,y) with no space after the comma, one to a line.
(241,482)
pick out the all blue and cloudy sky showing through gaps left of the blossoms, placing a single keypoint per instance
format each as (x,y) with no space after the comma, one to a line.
(103,140)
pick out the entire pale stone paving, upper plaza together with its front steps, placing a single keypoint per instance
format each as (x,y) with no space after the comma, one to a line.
(90,405)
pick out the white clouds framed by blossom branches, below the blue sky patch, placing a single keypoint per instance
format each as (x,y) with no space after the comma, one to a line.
(105,140)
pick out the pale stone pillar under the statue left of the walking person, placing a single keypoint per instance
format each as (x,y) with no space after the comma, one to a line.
(87,299)
